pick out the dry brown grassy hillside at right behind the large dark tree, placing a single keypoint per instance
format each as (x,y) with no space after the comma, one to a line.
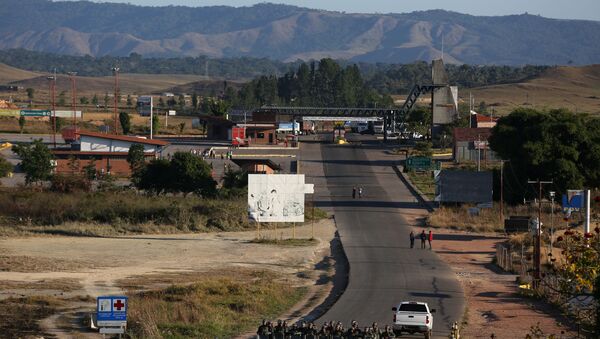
(574,88)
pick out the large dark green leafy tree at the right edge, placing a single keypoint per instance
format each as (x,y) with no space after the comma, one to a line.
(556,145)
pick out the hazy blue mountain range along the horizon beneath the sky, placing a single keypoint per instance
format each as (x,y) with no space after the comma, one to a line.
(289,33)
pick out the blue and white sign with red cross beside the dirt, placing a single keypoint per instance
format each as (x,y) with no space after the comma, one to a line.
(112,314)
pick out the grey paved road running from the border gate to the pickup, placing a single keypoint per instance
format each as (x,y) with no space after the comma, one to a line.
(374,234)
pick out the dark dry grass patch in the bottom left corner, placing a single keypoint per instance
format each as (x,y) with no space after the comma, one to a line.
(20,316)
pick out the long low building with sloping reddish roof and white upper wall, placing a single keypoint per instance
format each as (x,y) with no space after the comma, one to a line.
(108,153)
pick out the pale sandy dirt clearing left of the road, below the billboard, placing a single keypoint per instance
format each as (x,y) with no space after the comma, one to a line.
(77,268)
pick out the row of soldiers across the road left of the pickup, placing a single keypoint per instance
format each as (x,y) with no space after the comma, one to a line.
(329,330)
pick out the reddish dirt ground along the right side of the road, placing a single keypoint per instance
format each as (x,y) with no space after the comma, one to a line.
(493,304)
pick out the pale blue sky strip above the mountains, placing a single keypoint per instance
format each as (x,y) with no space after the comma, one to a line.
(564,9)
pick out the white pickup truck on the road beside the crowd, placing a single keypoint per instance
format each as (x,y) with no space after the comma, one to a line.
(413,317)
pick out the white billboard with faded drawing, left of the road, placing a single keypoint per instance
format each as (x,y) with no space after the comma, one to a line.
(277,197)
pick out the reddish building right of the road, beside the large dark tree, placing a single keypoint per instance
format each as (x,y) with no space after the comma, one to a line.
(471,143)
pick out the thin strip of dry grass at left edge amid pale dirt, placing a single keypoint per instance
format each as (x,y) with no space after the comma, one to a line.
(39,264)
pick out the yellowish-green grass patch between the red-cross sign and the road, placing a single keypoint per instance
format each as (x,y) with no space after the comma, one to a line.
(217,306)
